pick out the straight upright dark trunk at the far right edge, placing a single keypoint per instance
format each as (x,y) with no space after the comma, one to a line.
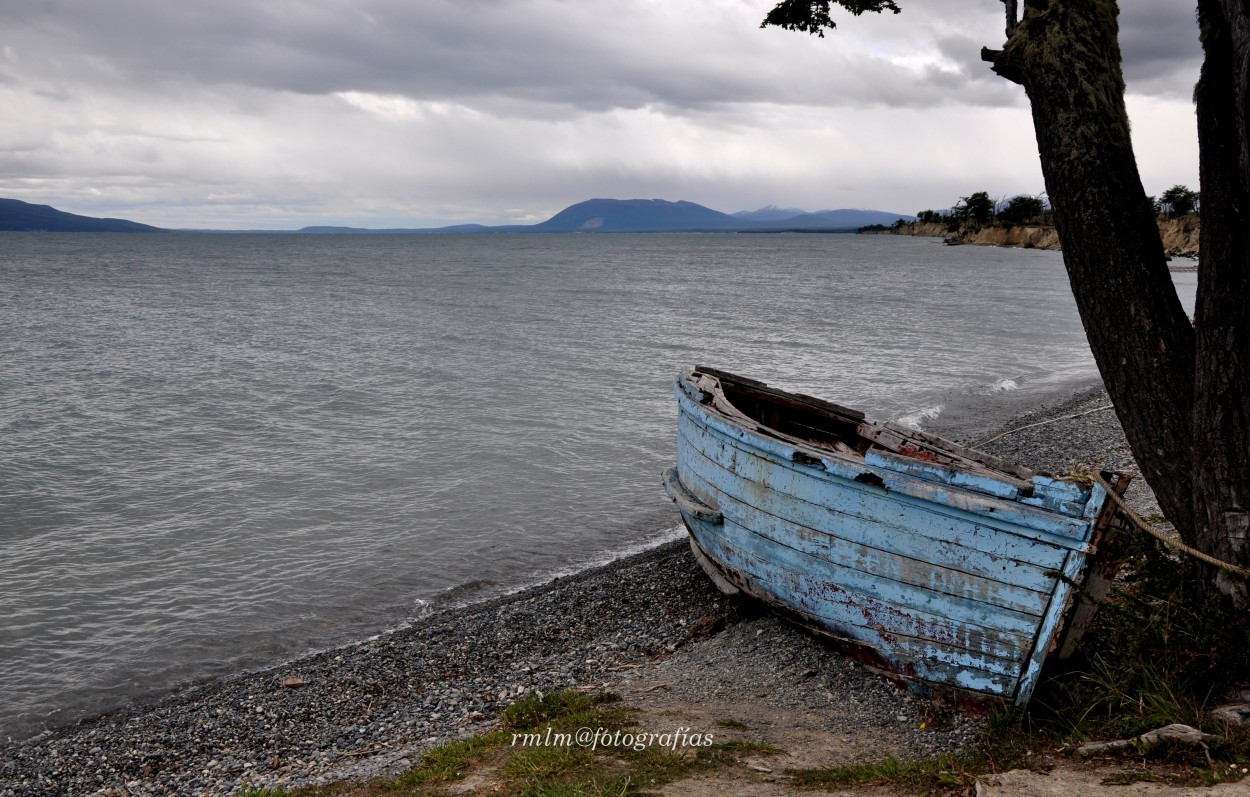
(1222,322)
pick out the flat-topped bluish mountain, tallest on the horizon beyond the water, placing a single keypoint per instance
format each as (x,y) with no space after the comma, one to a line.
(606,215)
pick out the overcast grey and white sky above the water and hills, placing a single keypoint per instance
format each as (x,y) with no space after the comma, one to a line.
(237,114)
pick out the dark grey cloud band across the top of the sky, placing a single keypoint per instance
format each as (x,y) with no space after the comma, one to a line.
(587,56)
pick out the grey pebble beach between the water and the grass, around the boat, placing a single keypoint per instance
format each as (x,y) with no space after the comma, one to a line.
(644,620)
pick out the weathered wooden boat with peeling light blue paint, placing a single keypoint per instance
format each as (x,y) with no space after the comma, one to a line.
(941,564)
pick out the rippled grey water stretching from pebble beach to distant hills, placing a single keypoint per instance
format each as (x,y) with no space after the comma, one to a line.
(224,452)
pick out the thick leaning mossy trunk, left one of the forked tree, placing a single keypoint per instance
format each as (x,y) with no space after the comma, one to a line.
(1067,56)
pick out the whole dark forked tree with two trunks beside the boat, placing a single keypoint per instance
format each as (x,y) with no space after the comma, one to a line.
(1181,389)
